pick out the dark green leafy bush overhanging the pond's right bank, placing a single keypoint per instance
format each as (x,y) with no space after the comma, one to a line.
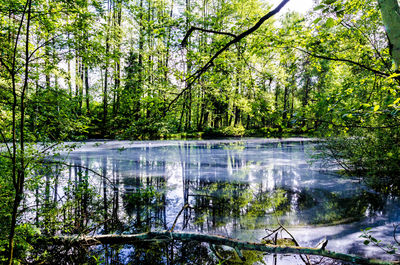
(372,155)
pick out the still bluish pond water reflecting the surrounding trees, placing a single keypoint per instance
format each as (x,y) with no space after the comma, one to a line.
(235,188)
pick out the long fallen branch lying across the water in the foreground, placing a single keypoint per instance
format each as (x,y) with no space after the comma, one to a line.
(212,239)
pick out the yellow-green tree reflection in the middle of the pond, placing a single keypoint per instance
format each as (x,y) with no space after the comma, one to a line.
(217,204)
